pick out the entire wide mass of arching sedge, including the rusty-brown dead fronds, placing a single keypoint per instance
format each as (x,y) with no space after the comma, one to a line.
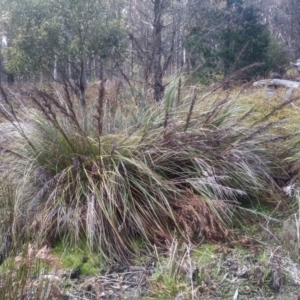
(180,168)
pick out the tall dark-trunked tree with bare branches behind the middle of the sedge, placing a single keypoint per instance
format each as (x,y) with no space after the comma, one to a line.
(155,40)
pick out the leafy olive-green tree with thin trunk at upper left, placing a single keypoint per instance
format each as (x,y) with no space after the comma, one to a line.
(61,37)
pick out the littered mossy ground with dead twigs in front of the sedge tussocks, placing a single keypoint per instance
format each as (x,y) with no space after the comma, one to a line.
(258,265)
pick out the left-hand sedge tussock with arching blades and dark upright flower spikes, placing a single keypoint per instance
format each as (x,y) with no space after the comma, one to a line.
(84,187)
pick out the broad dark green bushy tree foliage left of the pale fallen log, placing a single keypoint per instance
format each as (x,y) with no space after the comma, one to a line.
(239,39)
